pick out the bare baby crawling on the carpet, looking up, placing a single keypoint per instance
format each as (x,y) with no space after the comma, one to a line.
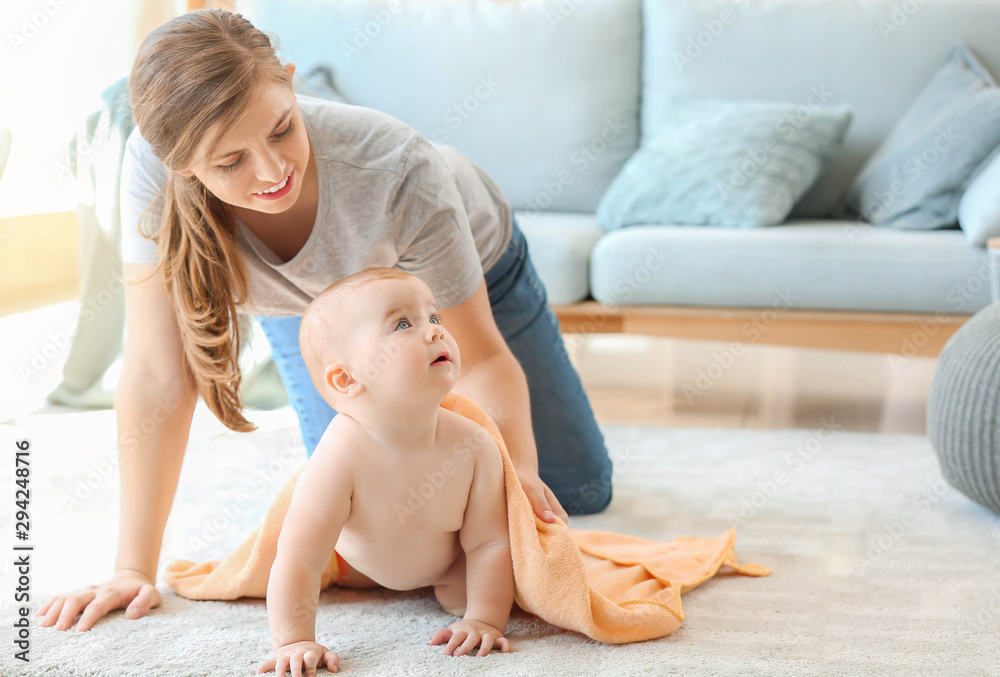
(377,352)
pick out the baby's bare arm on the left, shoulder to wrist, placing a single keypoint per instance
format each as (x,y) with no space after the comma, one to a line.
(319,507)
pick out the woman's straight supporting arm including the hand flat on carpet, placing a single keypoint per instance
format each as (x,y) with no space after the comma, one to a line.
(154,403)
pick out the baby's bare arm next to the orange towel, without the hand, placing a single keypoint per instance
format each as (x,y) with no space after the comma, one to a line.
(486,542)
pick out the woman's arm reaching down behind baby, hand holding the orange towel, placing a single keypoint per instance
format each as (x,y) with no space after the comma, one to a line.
(492,378)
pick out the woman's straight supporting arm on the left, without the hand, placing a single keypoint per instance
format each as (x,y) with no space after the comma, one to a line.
(154,402)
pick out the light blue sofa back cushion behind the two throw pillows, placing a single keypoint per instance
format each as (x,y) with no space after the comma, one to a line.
(873,55)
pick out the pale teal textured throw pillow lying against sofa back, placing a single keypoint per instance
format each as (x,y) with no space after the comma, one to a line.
(718,162)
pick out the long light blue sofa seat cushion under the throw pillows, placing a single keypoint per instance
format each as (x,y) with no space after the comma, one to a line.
(806,264)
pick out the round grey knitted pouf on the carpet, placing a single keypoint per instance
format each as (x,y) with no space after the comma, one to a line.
(962,408)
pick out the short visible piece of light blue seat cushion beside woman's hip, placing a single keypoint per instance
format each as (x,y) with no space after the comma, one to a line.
(559,244)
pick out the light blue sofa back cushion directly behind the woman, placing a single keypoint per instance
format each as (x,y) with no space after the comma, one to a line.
(542,94)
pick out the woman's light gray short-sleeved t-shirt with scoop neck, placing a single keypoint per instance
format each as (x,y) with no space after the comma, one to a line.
(387,197)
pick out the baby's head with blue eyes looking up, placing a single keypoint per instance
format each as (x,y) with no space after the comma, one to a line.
(376,336)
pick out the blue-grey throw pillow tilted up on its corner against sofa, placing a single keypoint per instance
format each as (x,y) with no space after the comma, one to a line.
(915,178)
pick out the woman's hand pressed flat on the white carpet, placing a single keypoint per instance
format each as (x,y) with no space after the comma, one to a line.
(126,587)
